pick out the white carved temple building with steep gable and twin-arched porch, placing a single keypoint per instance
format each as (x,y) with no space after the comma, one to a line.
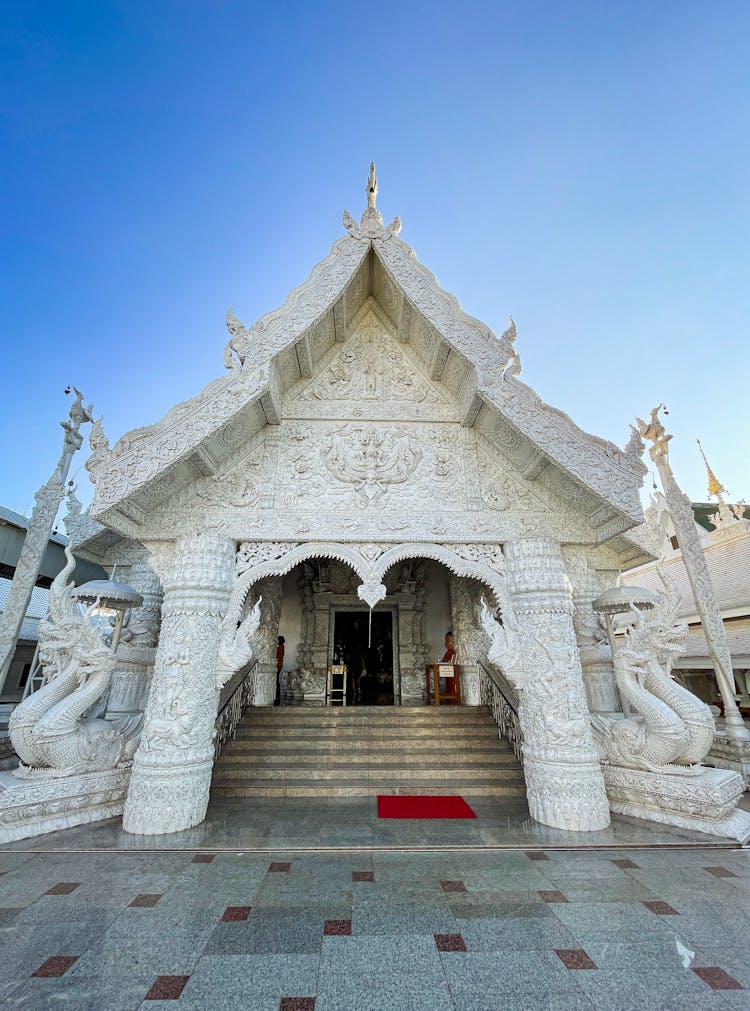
(371,448)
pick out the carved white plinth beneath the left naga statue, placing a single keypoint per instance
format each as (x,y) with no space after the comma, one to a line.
(48,803)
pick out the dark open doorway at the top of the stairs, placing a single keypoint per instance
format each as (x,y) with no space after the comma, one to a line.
(370,668)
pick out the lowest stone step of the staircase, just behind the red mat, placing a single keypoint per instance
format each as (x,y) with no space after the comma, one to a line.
(364,788)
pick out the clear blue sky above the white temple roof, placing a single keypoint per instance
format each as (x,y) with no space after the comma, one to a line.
(583,166)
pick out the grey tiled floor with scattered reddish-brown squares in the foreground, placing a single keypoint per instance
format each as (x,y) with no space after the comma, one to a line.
(468,930)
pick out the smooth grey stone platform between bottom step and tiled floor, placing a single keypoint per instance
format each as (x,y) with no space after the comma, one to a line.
(331,825)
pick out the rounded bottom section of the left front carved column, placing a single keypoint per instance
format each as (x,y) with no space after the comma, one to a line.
(168,798)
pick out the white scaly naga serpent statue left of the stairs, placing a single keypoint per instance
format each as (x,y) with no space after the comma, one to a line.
(50,730)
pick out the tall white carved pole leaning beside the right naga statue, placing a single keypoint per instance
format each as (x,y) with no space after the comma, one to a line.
(681,510)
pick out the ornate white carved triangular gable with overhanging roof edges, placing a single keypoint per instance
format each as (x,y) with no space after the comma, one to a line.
(359,384)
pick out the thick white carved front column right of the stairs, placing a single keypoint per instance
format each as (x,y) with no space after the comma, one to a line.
(565,784)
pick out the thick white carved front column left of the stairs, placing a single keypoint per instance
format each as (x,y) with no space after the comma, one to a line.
(172,769)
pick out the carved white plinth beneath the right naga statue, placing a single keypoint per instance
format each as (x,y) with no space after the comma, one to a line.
(702,802)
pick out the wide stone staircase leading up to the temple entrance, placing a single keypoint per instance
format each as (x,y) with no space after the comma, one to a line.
(365,751)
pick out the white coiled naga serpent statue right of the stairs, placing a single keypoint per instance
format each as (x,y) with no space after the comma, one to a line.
(675,730)
